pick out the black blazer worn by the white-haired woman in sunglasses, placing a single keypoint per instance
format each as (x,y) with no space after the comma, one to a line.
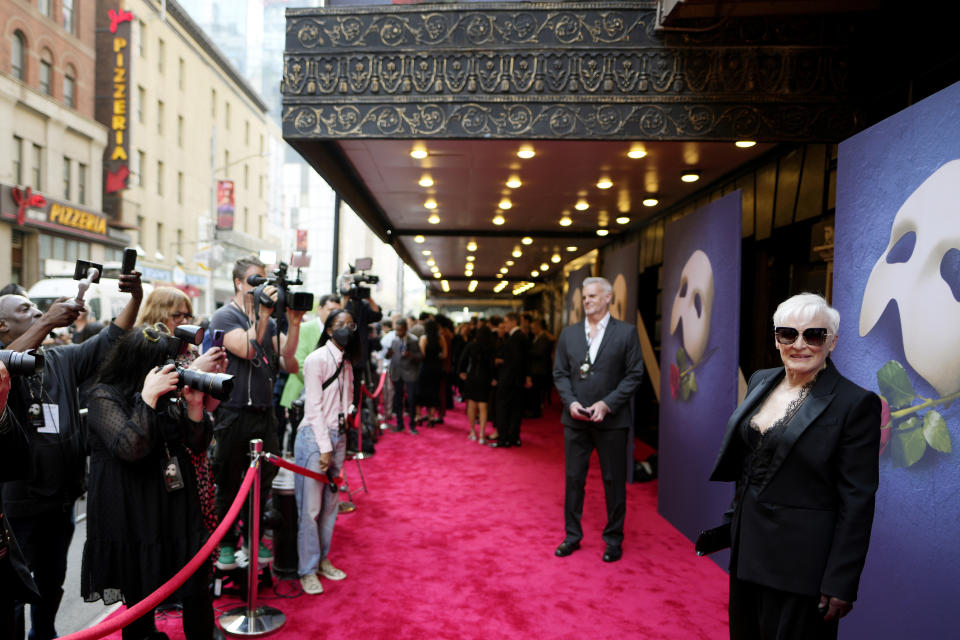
(806,527)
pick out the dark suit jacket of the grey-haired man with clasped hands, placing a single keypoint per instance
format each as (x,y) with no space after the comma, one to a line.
(614,376)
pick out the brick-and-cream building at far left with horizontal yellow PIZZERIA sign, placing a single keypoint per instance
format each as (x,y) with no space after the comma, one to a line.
(51,146)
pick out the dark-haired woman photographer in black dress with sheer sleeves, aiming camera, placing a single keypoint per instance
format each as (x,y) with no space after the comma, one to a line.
(145,517)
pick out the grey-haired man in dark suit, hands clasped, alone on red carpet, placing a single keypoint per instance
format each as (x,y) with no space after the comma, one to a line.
(597,368)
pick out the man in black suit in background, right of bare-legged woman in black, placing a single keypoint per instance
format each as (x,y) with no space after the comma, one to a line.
(512,378)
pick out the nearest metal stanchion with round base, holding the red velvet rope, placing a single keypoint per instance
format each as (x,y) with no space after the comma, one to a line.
(251,620)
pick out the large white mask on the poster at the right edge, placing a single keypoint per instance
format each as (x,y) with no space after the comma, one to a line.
(923,250)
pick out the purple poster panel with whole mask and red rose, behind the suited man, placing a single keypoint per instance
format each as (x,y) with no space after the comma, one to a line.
(698,362)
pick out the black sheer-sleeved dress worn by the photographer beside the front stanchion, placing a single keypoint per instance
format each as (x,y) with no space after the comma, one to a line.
(139,534)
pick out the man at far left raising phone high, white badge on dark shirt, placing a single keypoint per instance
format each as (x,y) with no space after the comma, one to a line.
(39,508)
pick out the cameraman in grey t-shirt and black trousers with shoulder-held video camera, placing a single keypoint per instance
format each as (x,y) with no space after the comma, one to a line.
(255,353)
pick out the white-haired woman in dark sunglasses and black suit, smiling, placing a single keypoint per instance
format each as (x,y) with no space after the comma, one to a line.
(802,448)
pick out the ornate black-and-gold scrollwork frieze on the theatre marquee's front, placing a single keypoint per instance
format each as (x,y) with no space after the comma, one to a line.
(574,69)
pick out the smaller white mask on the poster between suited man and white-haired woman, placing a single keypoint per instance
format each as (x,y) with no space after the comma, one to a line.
(693,304)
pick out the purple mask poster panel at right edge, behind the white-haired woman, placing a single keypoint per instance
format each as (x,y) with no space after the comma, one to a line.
(897,287)
